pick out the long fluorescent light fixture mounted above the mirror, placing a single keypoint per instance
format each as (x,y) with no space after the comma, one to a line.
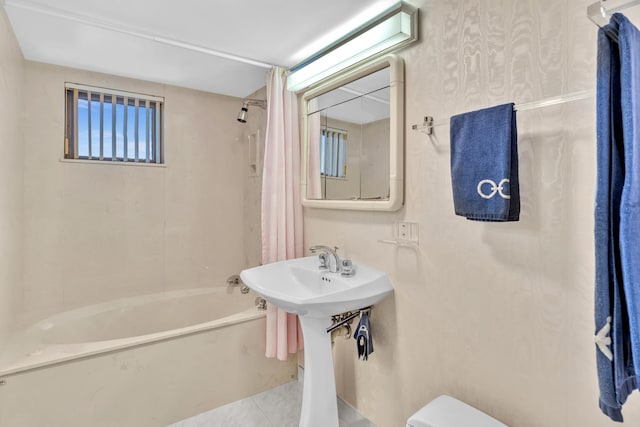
(395,28)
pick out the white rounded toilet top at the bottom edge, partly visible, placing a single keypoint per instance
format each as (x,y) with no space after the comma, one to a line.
(445,411)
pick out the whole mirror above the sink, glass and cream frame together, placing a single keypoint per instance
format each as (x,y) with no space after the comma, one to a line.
(353,140)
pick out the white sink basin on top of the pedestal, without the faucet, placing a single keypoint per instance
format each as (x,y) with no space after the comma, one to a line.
(298,286)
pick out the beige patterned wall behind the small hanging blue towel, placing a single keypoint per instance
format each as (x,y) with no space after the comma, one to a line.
(498,315)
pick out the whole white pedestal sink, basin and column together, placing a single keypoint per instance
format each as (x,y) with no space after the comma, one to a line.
(300,287)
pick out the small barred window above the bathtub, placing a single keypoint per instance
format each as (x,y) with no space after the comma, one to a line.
(114,126)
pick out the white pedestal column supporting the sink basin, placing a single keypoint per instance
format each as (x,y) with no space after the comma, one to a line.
(319,401)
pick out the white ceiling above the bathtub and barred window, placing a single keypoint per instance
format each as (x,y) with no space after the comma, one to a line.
(181,42)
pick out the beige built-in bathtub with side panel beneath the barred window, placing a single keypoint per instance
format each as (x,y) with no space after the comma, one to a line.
(144,361)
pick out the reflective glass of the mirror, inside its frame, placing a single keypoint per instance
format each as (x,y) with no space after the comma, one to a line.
(348,137)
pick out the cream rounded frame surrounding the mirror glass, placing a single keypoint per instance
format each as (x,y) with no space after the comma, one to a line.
(396,134)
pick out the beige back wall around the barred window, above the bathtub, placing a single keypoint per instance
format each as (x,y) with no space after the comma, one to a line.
(102,231)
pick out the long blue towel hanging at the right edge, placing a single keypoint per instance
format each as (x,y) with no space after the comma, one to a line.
(617,220)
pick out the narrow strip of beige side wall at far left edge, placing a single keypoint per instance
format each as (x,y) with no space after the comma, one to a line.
(11,126)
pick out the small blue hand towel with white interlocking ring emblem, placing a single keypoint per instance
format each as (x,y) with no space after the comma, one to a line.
(484,164)
